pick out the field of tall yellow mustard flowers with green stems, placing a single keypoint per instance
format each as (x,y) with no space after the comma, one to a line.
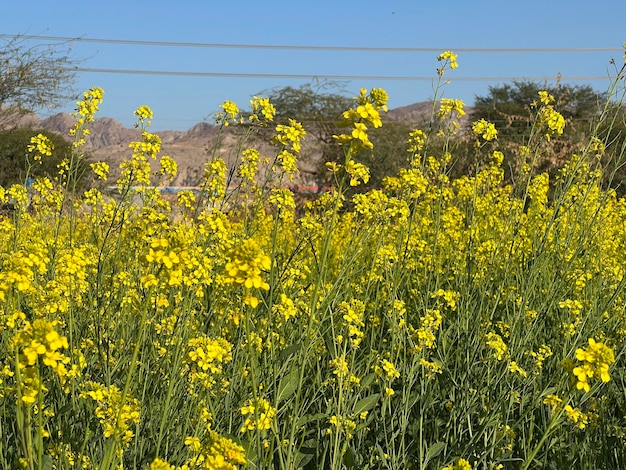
(433,323)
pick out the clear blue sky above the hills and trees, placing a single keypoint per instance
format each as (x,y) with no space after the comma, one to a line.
(181,101)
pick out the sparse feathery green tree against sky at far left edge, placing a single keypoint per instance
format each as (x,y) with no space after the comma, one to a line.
(33,77)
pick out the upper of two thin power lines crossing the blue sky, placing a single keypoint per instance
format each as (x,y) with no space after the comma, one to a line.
(313,48)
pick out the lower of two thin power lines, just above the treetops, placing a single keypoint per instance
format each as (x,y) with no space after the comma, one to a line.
(326,76)
